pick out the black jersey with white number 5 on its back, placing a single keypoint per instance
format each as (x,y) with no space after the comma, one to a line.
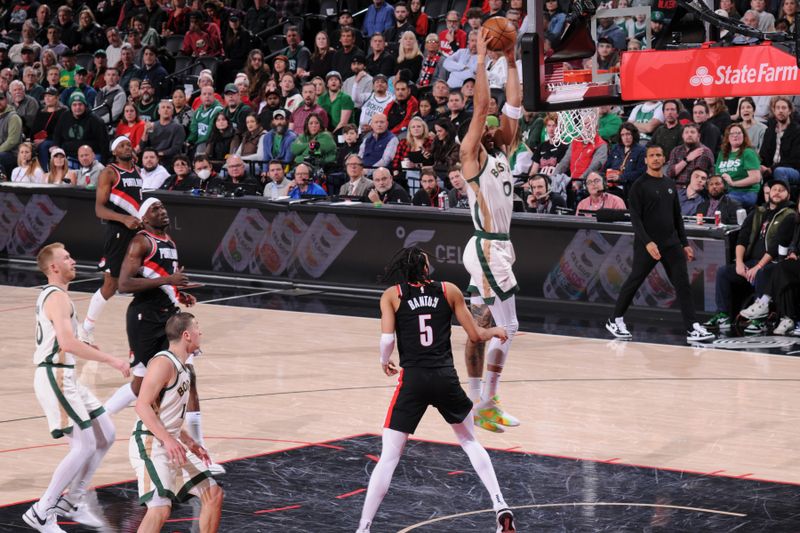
(423,326)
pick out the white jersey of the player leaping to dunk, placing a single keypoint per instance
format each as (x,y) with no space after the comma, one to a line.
(492,204)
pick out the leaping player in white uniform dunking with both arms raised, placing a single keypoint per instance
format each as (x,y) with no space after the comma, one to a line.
(489,254)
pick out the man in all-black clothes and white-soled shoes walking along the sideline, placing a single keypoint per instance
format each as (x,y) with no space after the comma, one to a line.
(658,236)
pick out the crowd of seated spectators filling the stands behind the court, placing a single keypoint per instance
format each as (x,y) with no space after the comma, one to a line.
(370,109)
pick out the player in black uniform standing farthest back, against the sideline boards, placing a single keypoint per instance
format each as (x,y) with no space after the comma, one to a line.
(117,201)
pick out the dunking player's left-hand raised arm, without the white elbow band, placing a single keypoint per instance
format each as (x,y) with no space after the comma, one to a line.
(471,143)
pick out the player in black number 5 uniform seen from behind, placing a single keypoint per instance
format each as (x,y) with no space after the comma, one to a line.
(420,311)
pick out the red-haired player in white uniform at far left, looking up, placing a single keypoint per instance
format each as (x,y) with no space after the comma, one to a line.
(70,407)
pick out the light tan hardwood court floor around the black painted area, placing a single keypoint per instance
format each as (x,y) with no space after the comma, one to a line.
(271,379)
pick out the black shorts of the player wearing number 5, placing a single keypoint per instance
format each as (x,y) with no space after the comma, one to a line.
(417,388)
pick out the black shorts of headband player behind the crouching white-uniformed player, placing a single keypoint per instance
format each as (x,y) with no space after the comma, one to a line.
(146,331)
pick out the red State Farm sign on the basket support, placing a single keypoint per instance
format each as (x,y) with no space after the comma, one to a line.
(761,70)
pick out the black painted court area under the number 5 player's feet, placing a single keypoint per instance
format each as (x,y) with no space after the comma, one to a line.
(320,488)
